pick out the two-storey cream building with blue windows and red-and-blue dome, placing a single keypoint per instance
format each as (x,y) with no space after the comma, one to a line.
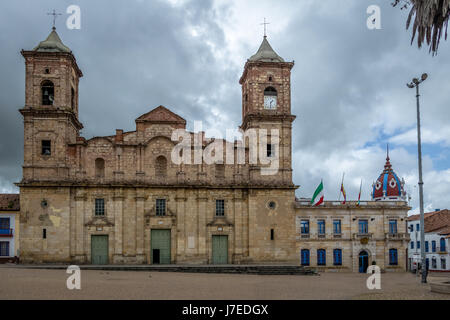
(354,235)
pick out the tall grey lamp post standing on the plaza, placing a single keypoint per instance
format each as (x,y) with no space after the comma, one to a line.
(415,84)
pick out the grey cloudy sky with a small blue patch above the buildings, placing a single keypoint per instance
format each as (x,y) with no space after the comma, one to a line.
(348,84)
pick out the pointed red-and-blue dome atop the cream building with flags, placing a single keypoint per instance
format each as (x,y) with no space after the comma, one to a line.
(388,186)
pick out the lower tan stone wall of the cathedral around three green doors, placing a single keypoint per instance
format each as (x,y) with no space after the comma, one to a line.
(70,221)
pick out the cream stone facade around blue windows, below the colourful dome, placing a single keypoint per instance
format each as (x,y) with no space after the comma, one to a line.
(376,242)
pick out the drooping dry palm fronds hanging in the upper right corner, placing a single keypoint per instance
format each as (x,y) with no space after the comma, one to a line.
(430,20)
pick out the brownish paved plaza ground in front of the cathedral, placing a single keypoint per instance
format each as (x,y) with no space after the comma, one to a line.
(17,283)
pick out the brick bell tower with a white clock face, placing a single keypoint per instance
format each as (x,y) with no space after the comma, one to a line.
(266,104)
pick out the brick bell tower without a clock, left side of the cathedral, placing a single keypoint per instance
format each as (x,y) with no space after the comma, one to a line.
(51,109)
